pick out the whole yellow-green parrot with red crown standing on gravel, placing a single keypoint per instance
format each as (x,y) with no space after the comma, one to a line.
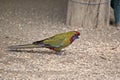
(55,43)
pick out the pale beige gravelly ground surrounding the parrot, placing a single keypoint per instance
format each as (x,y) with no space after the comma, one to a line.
(95,56)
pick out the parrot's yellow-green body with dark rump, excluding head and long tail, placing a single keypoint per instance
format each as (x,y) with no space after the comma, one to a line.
(58,41)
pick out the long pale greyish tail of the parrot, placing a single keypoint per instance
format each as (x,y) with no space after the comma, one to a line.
(23,46)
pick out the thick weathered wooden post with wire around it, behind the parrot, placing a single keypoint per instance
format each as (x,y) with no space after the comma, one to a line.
(88,13)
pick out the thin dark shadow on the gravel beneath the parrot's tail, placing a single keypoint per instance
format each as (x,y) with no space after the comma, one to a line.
(33,51)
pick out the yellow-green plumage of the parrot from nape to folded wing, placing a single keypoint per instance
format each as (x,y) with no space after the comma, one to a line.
(60,40)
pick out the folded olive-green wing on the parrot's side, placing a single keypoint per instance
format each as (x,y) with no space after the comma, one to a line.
(56,41)
